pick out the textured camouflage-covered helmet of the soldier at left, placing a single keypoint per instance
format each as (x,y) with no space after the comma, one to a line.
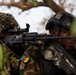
(7,21)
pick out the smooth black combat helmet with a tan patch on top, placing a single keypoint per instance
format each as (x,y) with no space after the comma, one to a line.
(61,19)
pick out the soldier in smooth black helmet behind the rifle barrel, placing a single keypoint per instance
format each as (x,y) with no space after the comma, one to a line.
(59,25)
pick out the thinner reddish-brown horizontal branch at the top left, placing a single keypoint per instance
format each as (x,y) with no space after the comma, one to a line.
(21,6)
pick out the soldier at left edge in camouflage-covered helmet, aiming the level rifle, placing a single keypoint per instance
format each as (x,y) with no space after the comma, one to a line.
(9,60)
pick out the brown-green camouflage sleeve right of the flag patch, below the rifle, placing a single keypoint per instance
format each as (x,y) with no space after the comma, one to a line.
(32,67)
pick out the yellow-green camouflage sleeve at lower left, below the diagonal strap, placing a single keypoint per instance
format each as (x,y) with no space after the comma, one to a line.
(10,62)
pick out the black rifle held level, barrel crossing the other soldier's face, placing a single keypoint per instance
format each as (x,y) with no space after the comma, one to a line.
(32,38)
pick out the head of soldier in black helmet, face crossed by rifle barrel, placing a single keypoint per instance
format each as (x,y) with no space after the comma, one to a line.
(60,25)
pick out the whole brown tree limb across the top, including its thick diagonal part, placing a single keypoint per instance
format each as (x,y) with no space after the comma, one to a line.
(29,5)
